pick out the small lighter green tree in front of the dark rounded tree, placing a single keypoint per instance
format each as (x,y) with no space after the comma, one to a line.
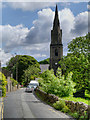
(30,73)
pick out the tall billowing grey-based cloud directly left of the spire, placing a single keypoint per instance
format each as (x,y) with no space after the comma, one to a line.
(41,30)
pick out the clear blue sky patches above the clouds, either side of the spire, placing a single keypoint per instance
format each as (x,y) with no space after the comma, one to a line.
(17,16)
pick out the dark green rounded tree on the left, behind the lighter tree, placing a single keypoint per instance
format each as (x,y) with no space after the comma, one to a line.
(21,63)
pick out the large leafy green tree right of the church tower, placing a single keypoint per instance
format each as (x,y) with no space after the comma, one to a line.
(78,62)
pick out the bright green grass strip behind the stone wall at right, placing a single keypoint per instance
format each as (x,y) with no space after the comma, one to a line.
(78,99)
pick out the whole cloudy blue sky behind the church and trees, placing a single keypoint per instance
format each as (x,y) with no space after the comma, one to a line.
(25,27)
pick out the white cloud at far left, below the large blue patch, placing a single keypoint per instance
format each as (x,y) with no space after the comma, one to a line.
(13,36)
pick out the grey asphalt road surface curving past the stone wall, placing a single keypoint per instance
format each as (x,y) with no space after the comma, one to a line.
(20,104)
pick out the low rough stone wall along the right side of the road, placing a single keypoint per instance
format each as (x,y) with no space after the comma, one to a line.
(73,106)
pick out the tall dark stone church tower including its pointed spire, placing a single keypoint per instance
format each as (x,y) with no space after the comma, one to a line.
(56,46)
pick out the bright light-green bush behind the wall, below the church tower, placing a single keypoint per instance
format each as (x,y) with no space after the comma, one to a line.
(56,85)
